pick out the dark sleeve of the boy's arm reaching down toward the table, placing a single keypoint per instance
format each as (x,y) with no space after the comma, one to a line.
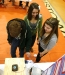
(28,39)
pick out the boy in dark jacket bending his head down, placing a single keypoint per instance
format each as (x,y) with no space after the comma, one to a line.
(19,35)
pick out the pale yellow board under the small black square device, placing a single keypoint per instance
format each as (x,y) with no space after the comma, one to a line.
(12,61)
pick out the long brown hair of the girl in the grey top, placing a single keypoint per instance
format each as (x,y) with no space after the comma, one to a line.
(53,23)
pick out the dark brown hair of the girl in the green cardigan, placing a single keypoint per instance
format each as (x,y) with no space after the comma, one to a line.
(31,7)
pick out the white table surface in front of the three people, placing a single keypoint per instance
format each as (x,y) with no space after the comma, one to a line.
(42,66)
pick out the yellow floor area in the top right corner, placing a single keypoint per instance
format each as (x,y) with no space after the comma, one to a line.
(59,5)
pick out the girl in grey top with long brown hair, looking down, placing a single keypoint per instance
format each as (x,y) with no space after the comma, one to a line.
(48,37)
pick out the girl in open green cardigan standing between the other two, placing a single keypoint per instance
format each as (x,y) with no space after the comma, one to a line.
(34,20)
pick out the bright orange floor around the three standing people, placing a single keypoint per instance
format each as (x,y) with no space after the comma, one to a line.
(9,12)
